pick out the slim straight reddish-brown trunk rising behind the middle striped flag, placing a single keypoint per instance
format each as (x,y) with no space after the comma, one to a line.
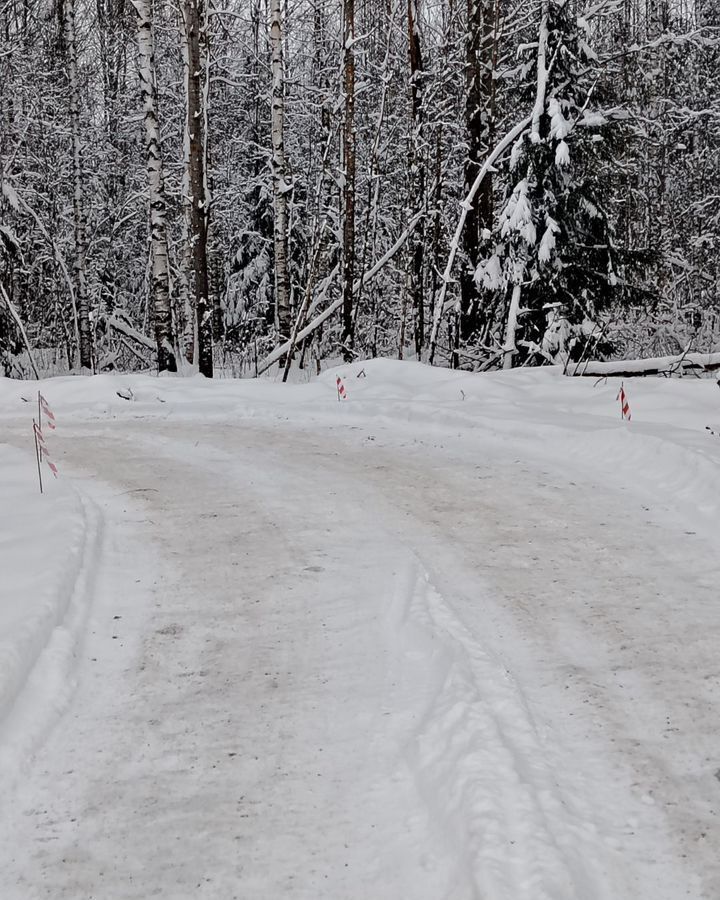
(348,191)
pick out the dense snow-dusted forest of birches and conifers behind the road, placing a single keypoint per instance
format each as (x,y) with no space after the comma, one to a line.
(218,186)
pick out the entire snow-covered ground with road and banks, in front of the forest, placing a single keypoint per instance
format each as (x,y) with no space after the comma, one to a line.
(455,637)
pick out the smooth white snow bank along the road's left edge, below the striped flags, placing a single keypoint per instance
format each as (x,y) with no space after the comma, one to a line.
(45,570)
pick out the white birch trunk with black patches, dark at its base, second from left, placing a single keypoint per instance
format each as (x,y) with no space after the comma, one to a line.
(160,287)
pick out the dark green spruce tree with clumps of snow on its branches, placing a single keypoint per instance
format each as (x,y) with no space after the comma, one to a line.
(551,254)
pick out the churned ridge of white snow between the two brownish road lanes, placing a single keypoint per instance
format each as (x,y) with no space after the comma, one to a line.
(480,764)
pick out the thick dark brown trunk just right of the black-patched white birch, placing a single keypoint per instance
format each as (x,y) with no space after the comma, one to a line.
(196,198)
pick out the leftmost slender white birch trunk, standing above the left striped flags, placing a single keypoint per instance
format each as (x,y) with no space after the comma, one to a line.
(80,228)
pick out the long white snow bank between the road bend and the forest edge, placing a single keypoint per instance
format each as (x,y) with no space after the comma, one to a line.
(574,423)
